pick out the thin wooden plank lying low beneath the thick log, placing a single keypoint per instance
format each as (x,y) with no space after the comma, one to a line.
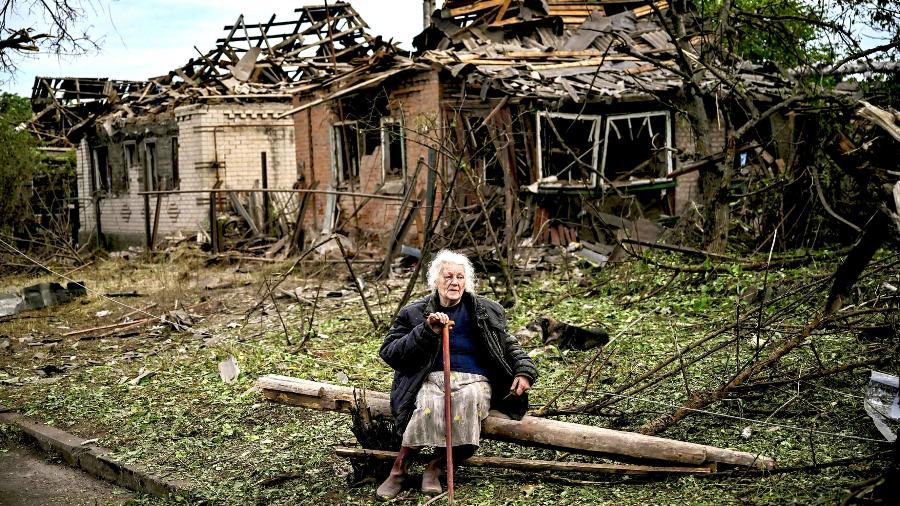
(536,465)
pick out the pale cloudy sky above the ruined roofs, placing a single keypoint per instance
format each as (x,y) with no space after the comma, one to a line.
(142,39)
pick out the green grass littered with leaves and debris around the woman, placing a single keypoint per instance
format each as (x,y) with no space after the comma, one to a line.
(184,422)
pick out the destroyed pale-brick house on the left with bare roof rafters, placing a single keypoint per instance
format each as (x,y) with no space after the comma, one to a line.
(149,153)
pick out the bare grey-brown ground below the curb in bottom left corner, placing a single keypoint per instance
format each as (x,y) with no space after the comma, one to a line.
(29,478)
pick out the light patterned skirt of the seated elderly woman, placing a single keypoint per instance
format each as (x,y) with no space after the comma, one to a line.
(470,396)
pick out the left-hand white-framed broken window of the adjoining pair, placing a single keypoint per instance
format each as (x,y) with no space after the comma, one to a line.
(568,145)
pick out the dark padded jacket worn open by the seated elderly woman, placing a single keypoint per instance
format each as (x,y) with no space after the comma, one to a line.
(411,348)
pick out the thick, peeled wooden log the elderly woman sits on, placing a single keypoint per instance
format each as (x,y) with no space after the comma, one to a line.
(530,430)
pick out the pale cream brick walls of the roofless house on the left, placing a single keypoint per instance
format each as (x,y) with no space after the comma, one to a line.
(233,135)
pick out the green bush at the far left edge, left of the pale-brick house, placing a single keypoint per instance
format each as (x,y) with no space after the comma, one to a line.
(17,160)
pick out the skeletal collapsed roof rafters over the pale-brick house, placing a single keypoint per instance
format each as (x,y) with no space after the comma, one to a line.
(267,60)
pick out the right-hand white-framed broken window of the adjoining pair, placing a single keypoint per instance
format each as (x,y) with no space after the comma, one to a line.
(637,147)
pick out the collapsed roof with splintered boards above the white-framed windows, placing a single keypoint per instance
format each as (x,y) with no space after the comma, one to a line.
(562,49)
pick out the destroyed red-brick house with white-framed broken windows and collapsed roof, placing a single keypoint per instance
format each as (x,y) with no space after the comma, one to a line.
(547,114)
